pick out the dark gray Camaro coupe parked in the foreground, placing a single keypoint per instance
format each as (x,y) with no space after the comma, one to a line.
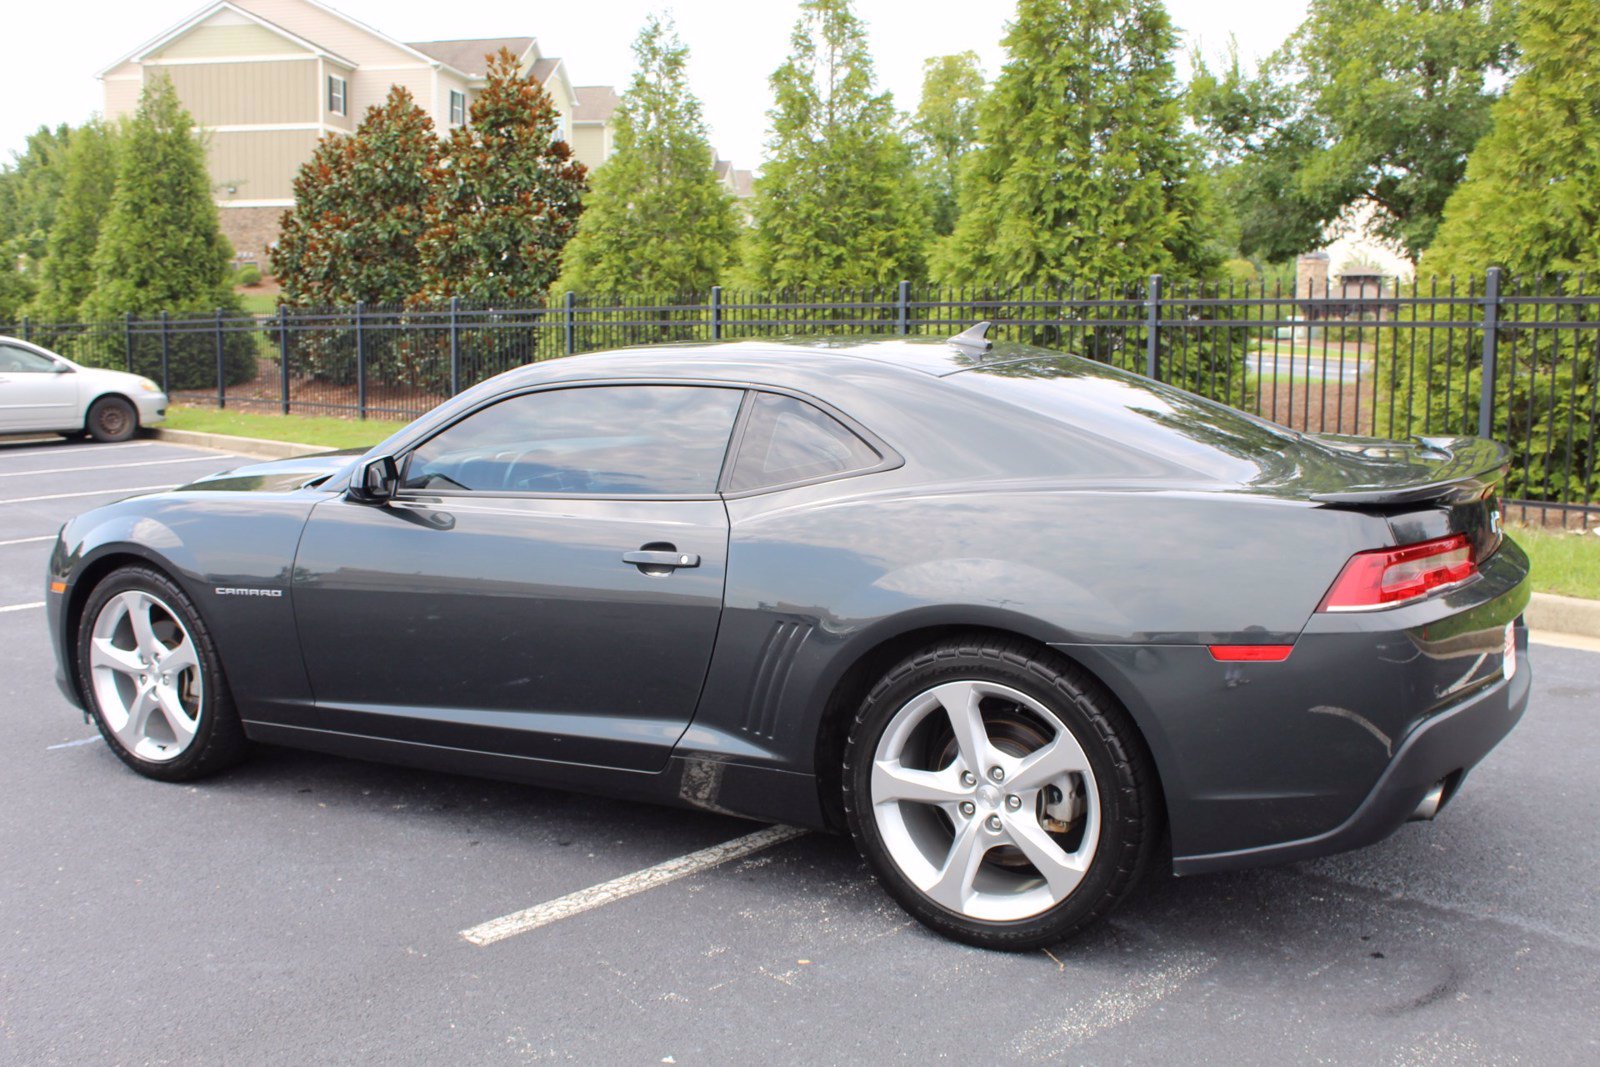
(1020,621)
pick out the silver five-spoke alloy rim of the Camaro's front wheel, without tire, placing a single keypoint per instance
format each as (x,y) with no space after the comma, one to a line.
(146,676)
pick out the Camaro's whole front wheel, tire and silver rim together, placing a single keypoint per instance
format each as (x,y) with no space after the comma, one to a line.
(153,679)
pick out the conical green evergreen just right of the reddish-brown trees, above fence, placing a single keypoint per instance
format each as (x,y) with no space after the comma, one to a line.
(657,220)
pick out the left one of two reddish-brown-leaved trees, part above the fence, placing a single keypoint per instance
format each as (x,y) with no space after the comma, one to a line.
(361,206)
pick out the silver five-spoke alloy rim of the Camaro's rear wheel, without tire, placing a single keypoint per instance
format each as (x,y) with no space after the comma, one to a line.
(942,825)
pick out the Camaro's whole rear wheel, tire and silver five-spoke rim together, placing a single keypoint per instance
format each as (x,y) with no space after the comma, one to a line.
(1001,794)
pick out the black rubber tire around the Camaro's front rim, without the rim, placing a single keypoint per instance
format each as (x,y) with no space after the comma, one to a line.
(220,737)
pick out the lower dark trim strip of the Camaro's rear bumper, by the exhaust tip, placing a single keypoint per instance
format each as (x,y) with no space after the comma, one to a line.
(1450,743)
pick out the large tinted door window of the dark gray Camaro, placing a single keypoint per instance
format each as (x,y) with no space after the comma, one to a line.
(626,441)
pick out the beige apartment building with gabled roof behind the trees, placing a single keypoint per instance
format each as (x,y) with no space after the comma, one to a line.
(266,79)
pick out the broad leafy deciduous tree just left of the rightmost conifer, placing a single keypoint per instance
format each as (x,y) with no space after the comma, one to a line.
(1370,102)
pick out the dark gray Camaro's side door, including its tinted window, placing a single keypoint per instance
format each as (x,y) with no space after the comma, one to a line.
(546,583)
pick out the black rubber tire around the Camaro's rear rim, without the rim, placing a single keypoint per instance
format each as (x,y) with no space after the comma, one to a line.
(1130,825)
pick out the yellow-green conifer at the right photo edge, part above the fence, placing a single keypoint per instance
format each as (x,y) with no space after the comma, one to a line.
(1532,196)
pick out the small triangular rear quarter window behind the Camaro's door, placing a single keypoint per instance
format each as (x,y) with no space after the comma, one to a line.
(790,441)
